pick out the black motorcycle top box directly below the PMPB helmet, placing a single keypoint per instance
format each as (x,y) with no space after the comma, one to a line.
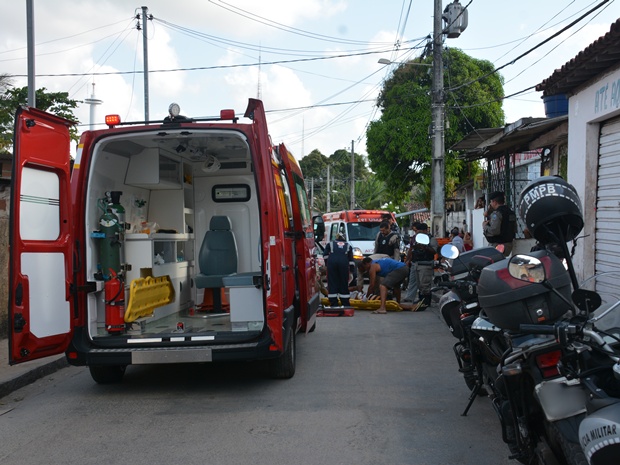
(509,302)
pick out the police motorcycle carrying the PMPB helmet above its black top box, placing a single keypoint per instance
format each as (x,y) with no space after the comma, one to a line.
(538,406)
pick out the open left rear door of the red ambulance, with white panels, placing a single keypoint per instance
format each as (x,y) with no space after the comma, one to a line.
(40,238)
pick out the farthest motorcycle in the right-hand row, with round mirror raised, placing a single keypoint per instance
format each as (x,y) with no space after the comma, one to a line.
(459,305)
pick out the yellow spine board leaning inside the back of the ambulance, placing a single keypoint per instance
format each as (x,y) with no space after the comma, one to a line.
(146,294)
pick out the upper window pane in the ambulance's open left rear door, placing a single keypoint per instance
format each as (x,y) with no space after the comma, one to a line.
(39,205)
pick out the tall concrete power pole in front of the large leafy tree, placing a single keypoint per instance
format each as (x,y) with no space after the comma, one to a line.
(438,183)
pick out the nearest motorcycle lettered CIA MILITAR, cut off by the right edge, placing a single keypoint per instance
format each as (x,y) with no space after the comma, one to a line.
(587,390)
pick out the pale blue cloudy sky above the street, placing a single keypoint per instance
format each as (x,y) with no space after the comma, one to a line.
(314,101)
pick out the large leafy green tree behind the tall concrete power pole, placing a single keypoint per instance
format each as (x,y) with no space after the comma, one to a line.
(399,143)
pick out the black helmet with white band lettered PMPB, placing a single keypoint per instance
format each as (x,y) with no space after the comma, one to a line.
(551,209)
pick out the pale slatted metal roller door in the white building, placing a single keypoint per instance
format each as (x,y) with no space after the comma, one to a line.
(607,247)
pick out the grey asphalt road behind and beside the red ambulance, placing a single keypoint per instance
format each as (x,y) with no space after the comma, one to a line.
(371,389)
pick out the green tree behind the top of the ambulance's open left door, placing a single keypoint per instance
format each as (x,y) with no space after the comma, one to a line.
(57,103)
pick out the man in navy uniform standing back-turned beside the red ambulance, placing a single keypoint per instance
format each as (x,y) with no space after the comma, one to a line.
(338,255)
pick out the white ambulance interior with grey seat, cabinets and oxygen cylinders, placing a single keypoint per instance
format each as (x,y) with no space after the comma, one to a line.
(175,186)
